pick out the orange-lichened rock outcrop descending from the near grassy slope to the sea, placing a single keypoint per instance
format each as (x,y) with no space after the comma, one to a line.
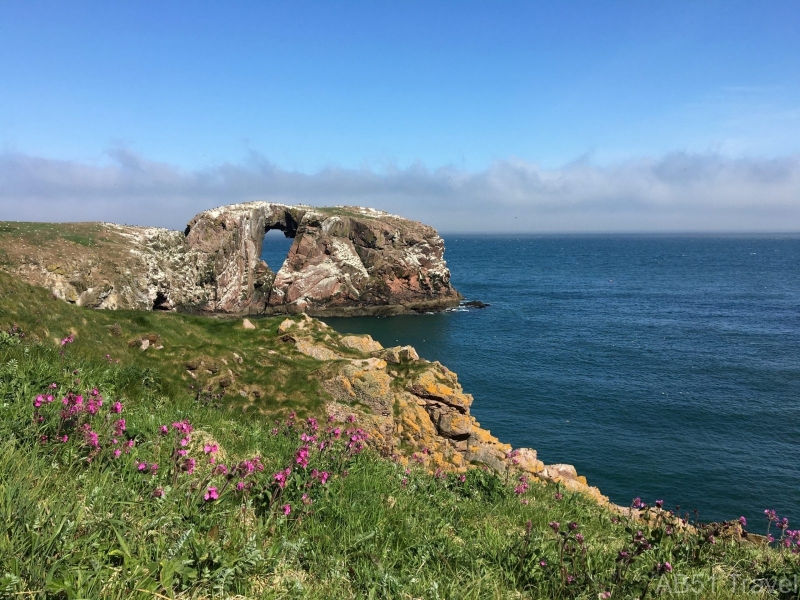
(415,410)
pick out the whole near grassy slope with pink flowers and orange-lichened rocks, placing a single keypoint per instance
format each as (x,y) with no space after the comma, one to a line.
(140,457)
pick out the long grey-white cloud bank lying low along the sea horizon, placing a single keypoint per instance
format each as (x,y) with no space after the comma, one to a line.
(677,192)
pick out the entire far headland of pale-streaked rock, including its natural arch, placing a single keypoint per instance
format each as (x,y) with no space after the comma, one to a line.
(344,261)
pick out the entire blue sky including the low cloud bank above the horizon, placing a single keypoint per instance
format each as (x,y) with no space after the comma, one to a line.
(470,116)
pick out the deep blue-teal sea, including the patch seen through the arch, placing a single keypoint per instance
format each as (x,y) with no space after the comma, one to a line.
(666,367)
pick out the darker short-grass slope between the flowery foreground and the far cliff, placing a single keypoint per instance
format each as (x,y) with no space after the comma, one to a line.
(195,353)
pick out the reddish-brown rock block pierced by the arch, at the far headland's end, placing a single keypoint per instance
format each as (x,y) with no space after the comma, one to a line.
(344,260)
